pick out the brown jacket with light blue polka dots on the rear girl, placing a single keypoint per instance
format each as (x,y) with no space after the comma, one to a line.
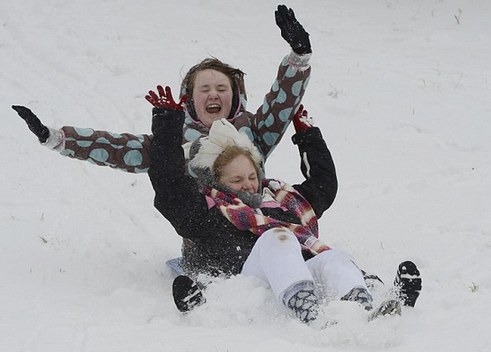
(131,153)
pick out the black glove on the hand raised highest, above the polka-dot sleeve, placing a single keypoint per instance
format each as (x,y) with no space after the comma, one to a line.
(292,31)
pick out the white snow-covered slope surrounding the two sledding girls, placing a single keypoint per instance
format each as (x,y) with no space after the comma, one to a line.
(401,91)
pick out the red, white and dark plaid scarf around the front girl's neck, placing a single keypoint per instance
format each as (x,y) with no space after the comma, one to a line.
(246,218)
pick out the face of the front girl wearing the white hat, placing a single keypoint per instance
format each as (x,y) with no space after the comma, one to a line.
(240,175)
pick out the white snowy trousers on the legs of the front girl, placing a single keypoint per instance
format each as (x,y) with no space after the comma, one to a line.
(277,259)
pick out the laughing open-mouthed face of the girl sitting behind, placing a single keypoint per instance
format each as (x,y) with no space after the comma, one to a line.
(212,96)
